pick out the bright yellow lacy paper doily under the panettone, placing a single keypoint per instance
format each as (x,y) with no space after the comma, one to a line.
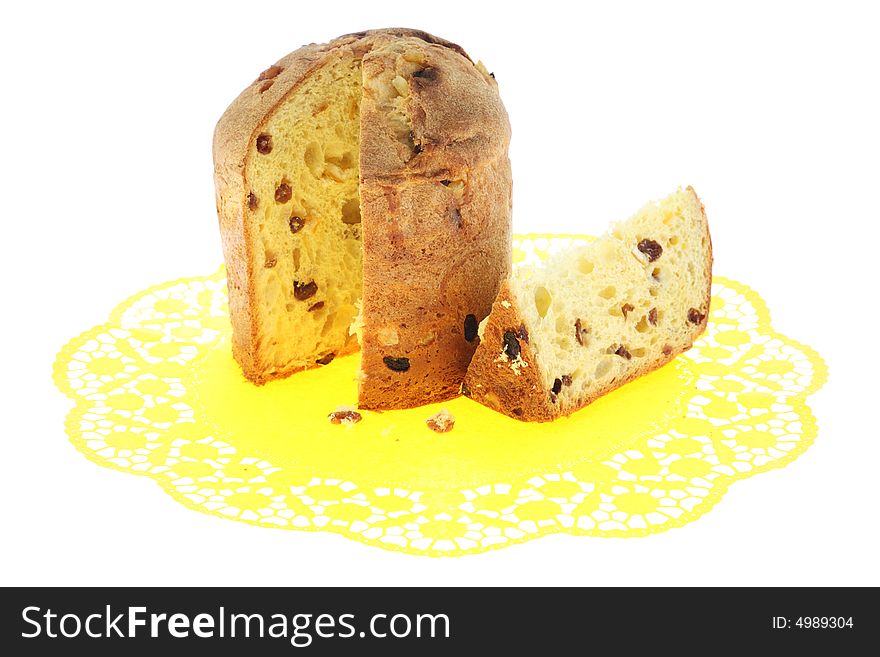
(157,393)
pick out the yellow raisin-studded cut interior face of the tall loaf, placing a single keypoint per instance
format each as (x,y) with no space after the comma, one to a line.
(304,192)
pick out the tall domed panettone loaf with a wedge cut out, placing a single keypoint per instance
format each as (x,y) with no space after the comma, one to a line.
(363,189)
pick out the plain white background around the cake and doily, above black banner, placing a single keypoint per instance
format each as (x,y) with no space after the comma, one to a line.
(769,110)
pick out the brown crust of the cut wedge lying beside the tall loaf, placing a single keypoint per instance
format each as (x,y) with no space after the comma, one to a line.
(519,391)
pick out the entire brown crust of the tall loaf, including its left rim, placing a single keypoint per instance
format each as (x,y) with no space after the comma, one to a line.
(457,138)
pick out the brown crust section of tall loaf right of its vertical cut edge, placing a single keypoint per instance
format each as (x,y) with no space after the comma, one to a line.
(435,211)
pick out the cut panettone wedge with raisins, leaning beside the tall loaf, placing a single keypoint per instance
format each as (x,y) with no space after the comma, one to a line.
(597,316)
